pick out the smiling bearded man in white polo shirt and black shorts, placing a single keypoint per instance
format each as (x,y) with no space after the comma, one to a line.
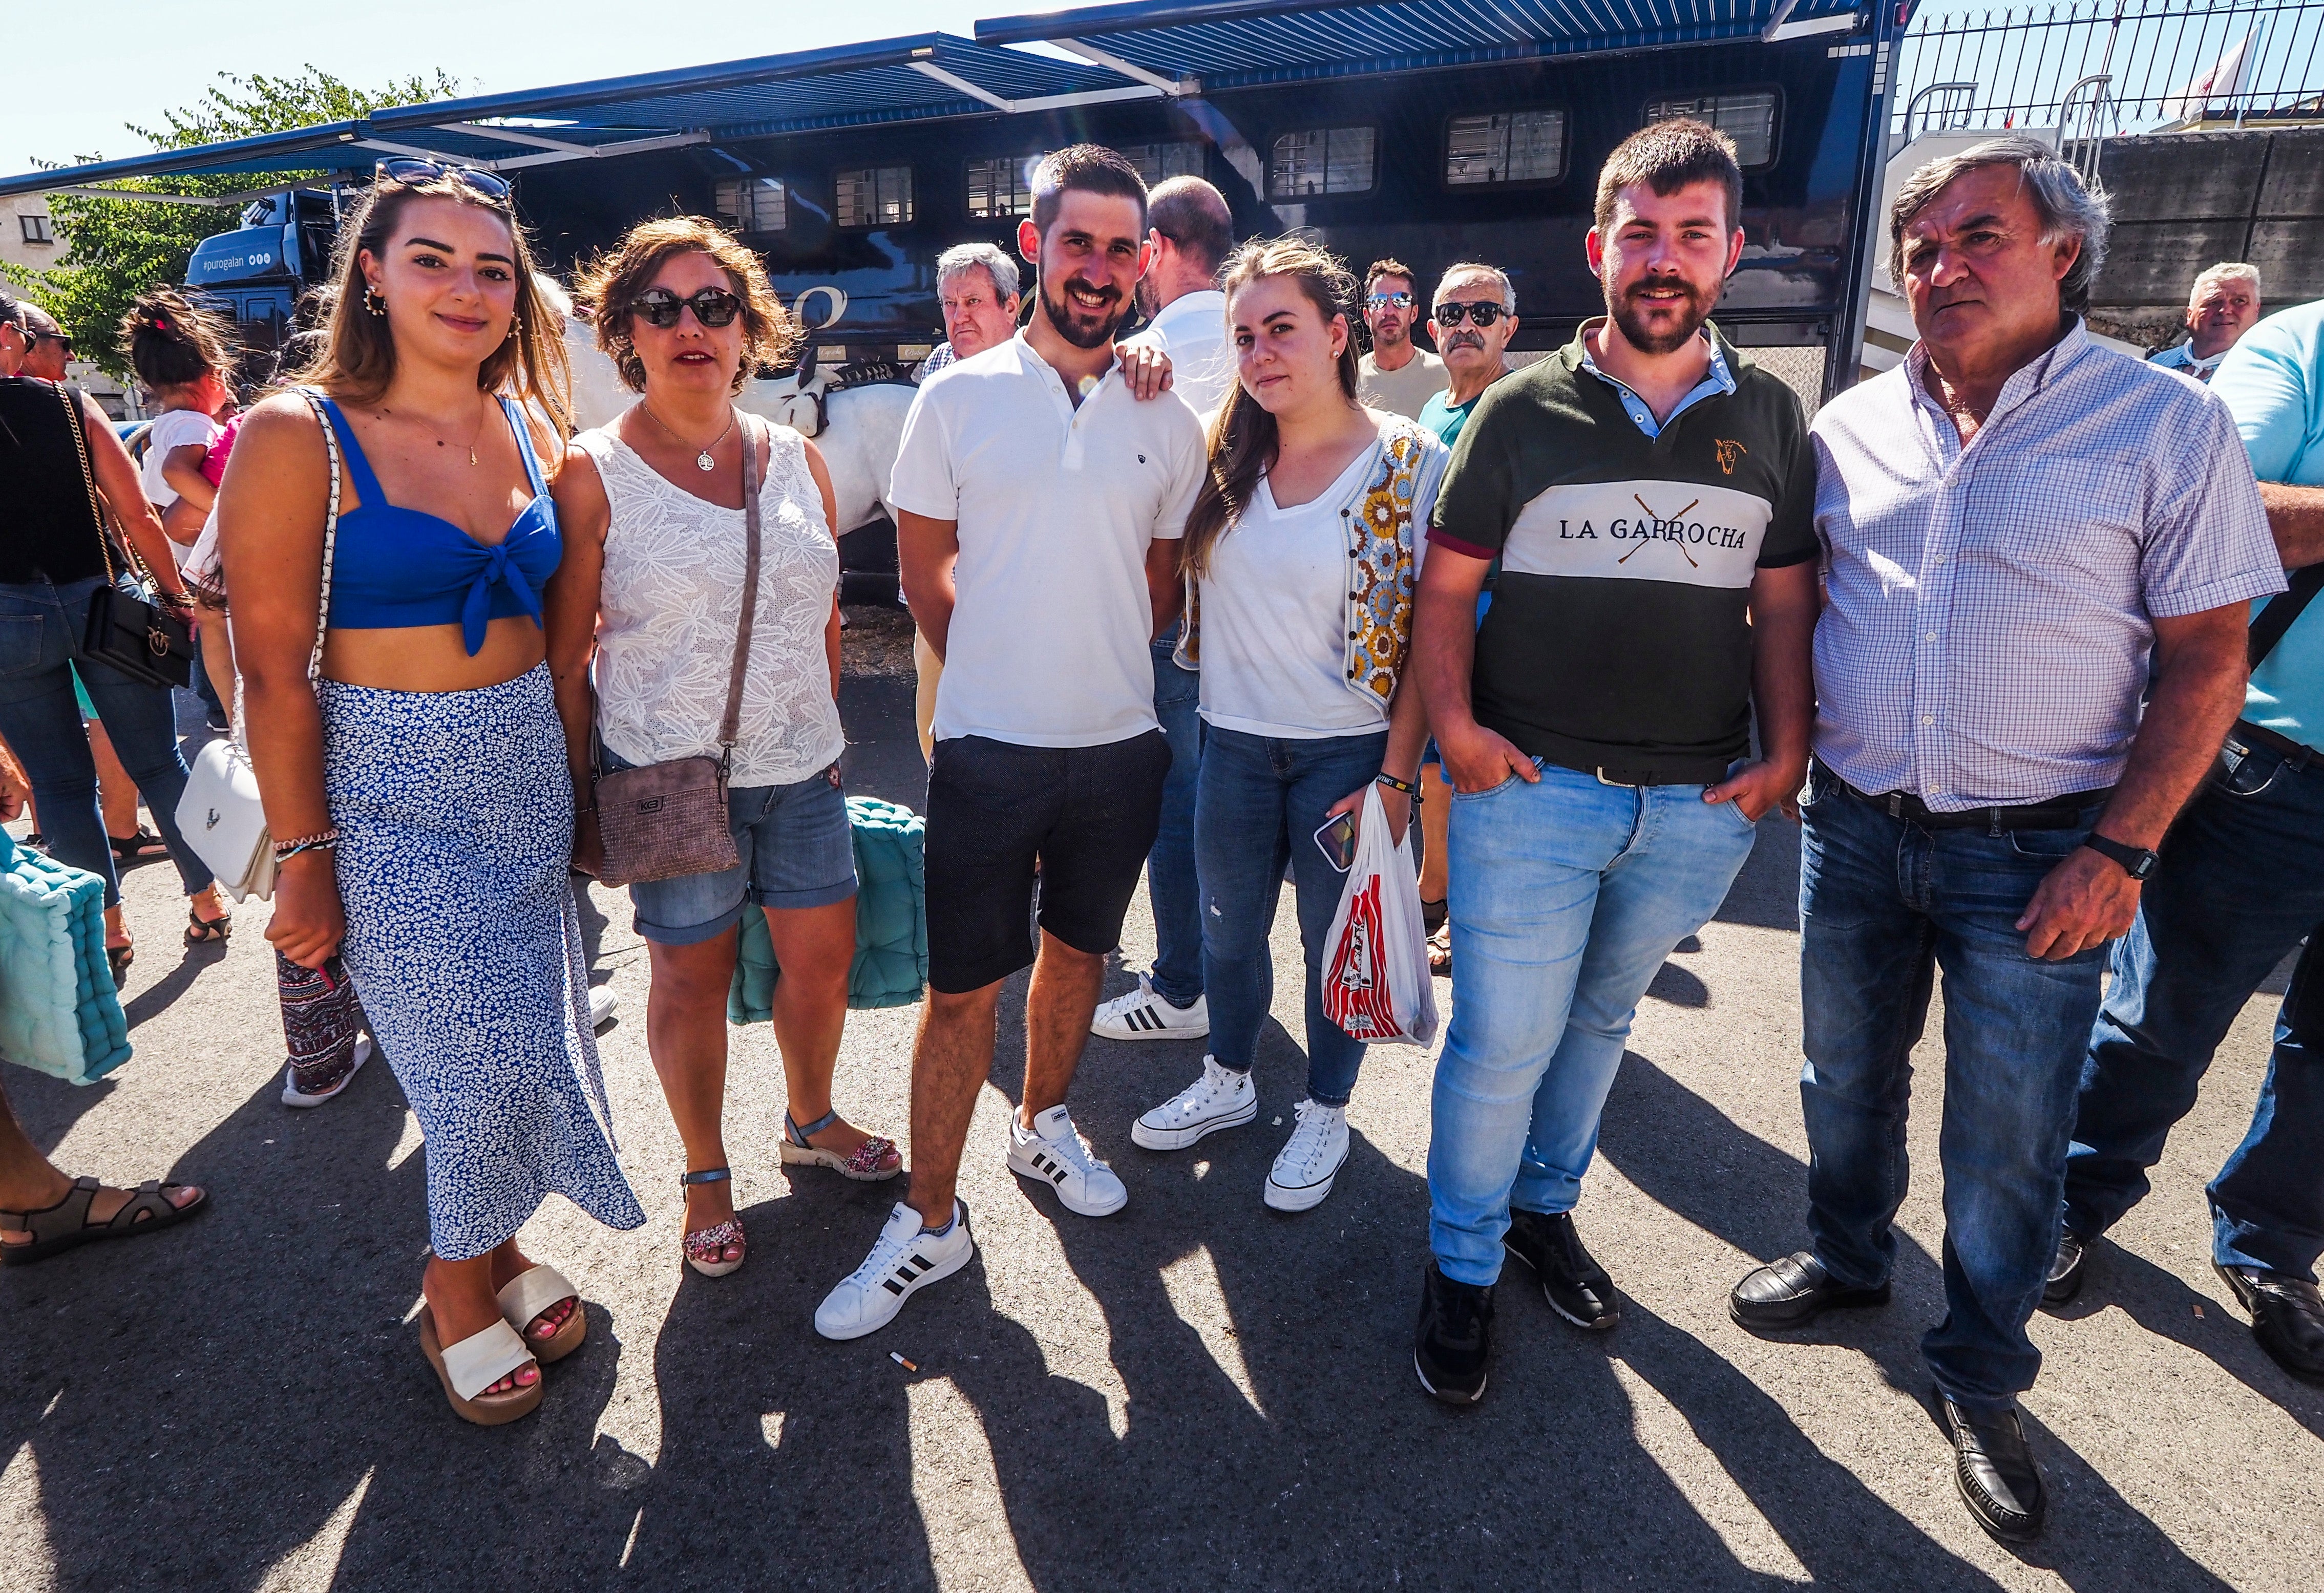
(1040,510)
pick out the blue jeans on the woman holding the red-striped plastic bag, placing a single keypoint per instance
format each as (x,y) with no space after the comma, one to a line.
(1258,809)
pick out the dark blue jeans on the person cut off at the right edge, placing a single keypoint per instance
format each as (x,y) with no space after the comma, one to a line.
(2239,886)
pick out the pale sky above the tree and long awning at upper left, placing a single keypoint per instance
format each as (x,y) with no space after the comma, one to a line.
(83,69)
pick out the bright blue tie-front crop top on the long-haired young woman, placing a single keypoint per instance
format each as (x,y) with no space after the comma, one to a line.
(399,568)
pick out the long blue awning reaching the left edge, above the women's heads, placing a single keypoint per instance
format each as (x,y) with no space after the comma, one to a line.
(894,80)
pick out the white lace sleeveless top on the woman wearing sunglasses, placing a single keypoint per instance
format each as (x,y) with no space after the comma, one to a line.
(673,600)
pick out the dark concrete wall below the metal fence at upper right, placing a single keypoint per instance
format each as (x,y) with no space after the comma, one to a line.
(2186,201)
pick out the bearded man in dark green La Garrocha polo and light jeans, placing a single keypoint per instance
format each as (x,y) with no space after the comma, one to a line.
(1651,496)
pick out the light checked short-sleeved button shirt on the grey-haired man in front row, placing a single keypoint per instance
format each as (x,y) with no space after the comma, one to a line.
(1988,610)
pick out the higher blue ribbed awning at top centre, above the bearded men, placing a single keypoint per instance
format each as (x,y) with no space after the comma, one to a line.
(1249,43)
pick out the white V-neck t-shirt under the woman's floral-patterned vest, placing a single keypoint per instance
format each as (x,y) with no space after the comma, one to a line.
(1275,619)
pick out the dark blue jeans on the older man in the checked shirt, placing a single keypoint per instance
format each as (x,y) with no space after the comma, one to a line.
(1886,904)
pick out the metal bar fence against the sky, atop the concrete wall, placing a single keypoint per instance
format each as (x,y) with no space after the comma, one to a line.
(2100,69)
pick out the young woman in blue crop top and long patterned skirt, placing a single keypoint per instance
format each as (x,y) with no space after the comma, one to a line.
(417,791)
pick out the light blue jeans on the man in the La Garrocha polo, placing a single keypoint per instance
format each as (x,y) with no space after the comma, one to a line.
(1568,895)
